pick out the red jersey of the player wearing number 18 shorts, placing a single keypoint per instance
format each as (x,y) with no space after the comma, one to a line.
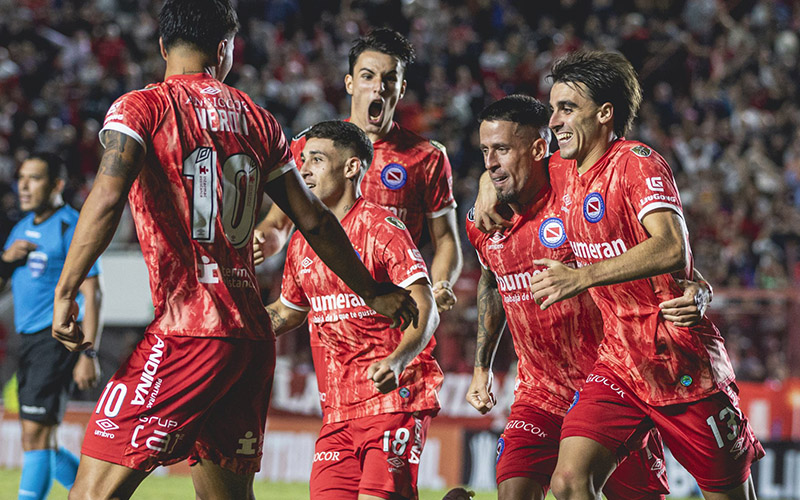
(347,336)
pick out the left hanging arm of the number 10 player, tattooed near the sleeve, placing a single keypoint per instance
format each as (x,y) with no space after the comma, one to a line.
(119,167)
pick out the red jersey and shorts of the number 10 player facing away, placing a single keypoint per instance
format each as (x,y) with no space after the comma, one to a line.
(209,151)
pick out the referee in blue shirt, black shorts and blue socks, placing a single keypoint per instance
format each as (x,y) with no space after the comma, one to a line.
(32,260)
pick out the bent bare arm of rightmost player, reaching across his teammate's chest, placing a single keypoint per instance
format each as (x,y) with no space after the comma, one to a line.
(663,252)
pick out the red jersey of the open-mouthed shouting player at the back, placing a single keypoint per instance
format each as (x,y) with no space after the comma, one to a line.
(410,176)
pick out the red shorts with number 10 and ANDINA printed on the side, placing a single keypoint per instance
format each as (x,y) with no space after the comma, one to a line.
(176,397)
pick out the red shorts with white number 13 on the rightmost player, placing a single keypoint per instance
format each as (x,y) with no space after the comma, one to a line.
(711,437)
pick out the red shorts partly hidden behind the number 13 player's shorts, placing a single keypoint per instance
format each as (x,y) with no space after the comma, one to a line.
(528,448)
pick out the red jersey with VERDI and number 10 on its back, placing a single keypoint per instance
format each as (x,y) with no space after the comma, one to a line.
(209,151)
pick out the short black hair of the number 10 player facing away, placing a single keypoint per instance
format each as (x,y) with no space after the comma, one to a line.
(202,23)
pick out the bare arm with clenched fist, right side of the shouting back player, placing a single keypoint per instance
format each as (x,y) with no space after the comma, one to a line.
(447,259)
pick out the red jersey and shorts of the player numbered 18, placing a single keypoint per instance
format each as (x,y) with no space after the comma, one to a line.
(370,442)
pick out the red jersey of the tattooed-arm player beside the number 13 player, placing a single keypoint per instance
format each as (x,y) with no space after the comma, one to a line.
(557,347)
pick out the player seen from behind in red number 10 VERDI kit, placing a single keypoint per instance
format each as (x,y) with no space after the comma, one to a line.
(172,149)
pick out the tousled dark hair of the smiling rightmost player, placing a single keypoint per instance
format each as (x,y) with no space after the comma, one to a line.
(608,77)
